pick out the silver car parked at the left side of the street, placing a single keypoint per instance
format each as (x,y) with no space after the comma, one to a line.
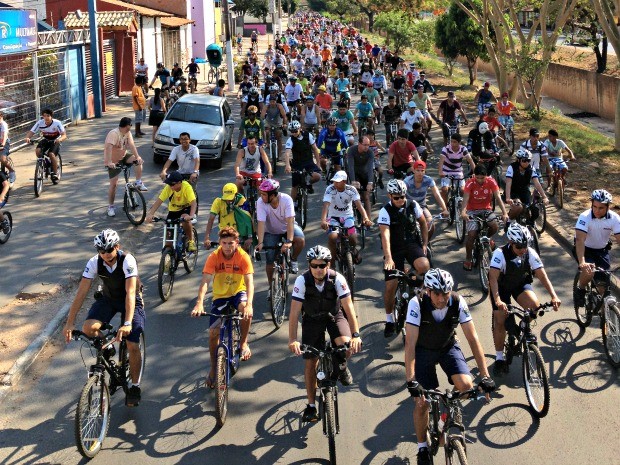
(207,120)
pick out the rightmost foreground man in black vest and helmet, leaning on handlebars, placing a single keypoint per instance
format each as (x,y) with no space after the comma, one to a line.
(512,269)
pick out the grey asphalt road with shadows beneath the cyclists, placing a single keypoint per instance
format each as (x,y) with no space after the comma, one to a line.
(175,423)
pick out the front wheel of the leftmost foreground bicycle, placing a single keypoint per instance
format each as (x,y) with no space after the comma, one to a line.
(92,416)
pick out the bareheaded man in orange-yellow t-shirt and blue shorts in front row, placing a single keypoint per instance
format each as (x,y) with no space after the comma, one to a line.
(230,270)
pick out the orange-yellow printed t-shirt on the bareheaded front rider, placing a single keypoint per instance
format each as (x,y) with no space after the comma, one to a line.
(228,274)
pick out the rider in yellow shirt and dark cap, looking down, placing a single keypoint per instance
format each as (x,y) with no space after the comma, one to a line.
(181,205)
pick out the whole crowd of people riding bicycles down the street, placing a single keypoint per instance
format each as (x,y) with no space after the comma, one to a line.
(301,90)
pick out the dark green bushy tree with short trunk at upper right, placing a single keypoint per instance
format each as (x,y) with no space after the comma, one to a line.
(457,34)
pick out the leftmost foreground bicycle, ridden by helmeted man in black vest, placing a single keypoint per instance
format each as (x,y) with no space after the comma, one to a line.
(92,415)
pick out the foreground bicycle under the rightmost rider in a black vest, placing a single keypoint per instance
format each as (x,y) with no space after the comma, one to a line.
(522,341)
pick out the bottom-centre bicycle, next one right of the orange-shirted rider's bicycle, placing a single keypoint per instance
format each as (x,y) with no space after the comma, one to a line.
(327,385)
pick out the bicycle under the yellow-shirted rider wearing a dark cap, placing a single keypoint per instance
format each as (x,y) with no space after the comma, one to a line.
(174,250)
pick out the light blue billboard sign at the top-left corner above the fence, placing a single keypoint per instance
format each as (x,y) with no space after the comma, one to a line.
(18,31)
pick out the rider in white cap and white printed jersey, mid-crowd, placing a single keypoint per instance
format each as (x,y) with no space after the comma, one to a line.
(338,204)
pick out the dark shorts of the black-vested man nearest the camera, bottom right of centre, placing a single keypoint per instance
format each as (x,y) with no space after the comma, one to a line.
(451,360)
